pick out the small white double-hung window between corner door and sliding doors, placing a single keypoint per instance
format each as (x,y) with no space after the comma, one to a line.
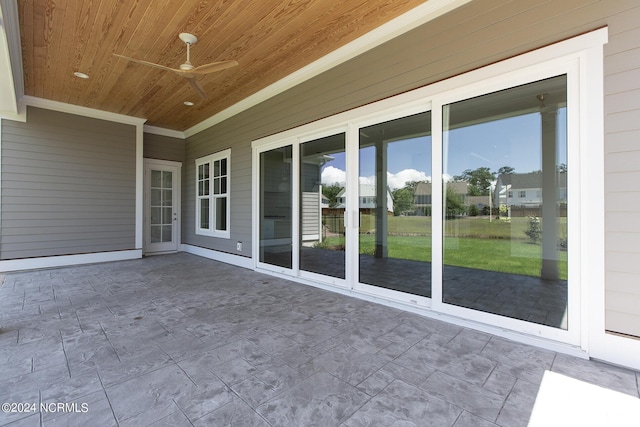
(212,194)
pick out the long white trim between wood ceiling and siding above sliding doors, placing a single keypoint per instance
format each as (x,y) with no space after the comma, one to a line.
(404,23)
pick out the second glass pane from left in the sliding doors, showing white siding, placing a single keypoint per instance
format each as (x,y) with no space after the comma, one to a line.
(322,195)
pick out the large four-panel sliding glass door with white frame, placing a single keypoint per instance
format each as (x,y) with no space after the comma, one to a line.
(462,202)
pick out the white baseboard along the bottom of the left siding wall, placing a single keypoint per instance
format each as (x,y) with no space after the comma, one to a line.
(67,260)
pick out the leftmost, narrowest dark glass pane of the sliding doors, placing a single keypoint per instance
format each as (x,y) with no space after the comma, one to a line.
(276,207)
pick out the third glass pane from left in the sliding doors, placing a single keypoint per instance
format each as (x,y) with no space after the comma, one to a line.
(395,205)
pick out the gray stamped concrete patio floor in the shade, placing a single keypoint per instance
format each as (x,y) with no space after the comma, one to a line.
(180,340)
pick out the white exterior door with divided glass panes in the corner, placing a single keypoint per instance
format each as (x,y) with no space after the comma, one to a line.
(161,206)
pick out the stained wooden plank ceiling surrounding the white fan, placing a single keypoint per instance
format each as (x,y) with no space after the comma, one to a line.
(270,39)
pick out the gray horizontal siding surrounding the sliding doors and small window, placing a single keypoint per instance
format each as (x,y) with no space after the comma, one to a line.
(477,34)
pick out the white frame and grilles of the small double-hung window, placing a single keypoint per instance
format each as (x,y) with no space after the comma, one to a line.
(211,231)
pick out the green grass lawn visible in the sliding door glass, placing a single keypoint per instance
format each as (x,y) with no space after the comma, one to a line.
(469,242)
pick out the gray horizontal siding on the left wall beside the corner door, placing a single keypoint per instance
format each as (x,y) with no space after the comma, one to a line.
(68,185)
